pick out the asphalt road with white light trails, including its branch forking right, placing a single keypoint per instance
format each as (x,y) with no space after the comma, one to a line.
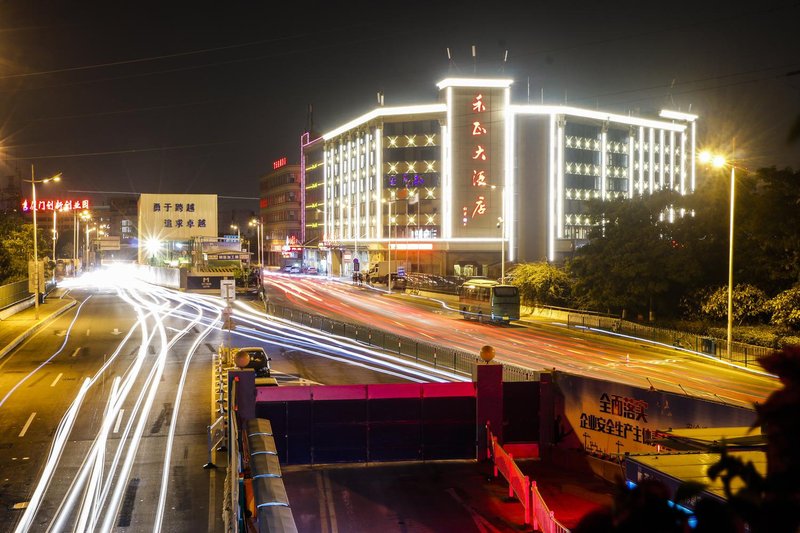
(106,409)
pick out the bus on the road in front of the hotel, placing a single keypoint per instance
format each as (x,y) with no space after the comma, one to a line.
(488,300)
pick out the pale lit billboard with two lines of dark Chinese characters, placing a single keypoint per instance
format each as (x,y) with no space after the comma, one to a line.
(173,217)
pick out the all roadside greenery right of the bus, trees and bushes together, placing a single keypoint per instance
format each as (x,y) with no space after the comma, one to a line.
(663,260)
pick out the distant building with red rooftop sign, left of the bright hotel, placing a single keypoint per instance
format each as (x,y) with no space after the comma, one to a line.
(281,214)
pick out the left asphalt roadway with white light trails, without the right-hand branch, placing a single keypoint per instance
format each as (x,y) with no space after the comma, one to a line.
(104,464)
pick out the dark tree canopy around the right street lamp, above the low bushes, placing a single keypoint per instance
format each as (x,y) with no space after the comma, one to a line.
(637,257)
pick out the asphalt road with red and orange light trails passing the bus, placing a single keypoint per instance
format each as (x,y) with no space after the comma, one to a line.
(536,345)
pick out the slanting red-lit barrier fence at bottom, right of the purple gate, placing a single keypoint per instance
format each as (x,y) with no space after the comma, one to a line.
(519,485)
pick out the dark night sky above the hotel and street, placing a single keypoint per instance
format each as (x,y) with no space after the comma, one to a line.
(202,97)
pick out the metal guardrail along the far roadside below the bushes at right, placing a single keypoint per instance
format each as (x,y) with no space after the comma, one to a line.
(741,353)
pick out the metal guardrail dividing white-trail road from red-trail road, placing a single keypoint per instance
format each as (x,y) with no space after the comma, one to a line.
(457,361)
